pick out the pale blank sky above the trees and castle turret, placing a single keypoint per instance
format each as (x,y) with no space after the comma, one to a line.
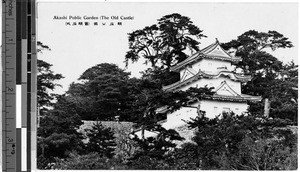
(77,48)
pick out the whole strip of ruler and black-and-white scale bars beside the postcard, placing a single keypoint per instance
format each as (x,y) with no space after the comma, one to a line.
(18,85)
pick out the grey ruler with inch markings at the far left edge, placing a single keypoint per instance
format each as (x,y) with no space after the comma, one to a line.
(8,60)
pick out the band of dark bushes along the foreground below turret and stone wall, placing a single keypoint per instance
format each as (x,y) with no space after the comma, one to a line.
(227,142)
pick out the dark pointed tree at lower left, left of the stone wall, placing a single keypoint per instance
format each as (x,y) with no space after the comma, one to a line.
(57,133)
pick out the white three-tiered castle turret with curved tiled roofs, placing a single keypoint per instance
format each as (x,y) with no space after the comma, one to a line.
(211,67)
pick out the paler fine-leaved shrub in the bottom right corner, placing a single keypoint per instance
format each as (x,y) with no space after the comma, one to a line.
(260,155)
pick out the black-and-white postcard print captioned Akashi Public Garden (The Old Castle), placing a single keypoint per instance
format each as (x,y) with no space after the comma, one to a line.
(167,86)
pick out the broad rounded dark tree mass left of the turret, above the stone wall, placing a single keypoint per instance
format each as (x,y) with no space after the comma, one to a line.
(106,92)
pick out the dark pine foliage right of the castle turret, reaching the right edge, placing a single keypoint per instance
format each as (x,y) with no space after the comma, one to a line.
(270,77)
